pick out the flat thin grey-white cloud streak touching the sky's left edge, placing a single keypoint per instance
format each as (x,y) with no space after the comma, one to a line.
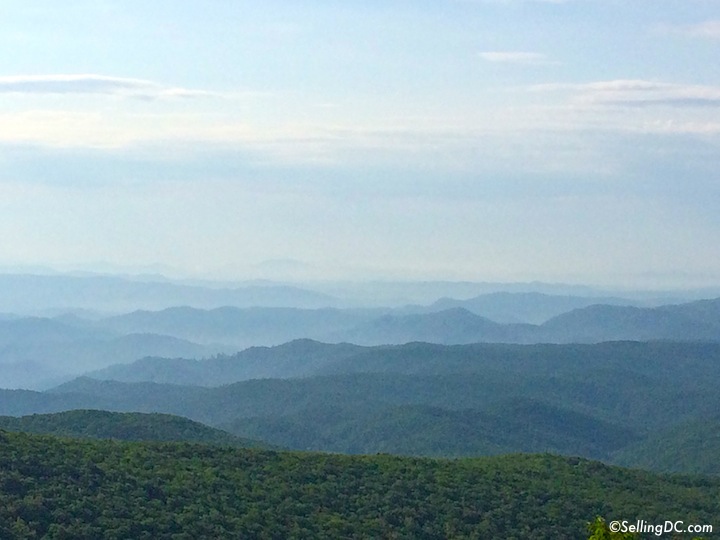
(92,84)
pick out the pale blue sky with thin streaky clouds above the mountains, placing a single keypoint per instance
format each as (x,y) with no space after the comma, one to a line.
(486,140)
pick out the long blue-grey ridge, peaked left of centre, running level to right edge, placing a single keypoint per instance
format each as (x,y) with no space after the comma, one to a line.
(305,358)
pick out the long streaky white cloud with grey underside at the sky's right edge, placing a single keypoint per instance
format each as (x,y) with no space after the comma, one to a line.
(639,93)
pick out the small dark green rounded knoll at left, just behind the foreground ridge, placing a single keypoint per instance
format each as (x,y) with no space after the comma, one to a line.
(123,426)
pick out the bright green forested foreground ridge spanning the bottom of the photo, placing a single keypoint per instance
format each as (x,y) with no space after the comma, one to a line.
(60,488)
